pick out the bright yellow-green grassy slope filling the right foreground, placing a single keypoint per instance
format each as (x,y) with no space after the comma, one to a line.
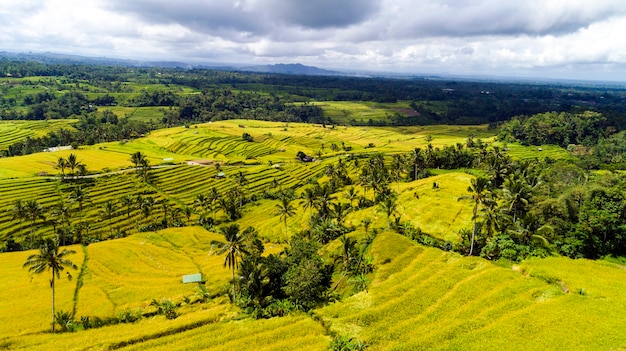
(423,298)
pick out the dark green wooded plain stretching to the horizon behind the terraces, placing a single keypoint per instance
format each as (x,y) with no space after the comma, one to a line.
(37,90)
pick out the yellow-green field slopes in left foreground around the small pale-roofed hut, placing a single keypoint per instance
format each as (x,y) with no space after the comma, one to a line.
(127,274)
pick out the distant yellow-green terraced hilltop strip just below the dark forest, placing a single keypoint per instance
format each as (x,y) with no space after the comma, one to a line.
(222,141)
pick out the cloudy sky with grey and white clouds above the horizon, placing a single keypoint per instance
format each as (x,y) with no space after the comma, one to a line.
(579,39)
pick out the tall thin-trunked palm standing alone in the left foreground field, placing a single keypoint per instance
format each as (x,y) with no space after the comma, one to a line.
(50,259)
